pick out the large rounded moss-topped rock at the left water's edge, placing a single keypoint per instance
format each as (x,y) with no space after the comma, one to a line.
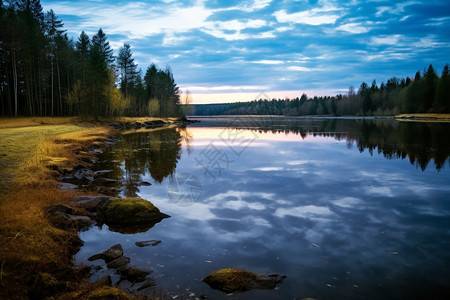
(132,211)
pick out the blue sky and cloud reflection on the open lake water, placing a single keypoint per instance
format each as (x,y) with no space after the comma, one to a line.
(322,214)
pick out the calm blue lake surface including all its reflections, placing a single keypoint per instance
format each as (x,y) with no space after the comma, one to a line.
(345,208)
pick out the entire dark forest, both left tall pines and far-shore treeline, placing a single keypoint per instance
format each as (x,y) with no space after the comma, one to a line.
(44,72)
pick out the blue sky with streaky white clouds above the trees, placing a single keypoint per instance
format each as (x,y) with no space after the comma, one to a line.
(227,51)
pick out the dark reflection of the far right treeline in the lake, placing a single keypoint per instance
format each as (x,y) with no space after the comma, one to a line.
(420,142)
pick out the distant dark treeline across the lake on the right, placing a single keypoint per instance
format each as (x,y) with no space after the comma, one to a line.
(425,93)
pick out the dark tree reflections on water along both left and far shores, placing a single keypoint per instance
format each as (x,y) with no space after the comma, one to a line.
(157,152)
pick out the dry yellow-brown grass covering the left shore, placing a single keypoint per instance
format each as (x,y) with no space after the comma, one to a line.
(29,244)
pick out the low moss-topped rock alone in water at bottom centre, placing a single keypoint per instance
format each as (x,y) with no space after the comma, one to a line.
(234,280)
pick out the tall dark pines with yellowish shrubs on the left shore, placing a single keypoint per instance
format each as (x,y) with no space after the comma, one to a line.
(43,72)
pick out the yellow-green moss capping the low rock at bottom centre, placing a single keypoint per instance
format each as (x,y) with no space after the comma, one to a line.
(230,280)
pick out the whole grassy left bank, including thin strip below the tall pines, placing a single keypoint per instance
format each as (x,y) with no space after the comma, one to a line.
(36,258)
